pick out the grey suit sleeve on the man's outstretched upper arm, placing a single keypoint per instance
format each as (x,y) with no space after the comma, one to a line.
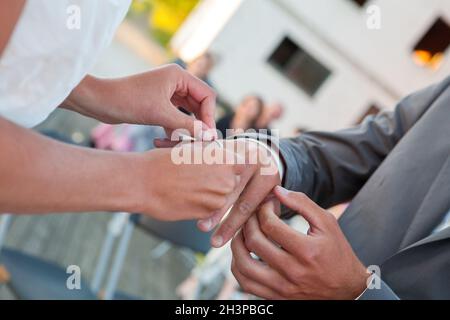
(332,167)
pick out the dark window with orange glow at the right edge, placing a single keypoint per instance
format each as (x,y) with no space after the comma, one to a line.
(430,50)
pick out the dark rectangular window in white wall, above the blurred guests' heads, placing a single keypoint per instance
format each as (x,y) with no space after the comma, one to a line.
(299,66)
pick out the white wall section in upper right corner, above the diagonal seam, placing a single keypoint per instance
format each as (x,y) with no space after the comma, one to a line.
(385,53)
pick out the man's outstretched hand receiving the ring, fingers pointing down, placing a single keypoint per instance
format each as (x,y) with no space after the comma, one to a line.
(257,181)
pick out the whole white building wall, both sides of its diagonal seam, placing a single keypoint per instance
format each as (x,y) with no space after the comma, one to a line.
(363,62)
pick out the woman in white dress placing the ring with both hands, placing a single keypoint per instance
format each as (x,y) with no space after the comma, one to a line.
(44,60)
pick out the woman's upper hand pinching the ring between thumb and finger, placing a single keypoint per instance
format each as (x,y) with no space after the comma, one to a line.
(151,98)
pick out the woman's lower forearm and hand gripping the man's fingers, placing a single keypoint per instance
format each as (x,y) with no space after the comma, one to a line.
(65,178)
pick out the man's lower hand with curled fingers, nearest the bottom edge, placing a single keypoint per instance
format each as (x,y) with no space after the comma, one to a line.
(320,265)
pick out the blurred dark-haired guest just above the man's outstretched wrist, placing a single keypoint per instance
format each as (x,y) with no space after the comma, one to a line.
(244,118)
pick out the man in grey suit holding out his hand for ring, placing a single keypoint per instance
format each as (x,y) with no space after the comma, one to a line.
(393,239)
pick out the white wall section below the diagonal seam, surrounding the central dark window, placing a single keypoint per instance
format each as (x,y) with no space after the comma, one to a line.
(248,40)
